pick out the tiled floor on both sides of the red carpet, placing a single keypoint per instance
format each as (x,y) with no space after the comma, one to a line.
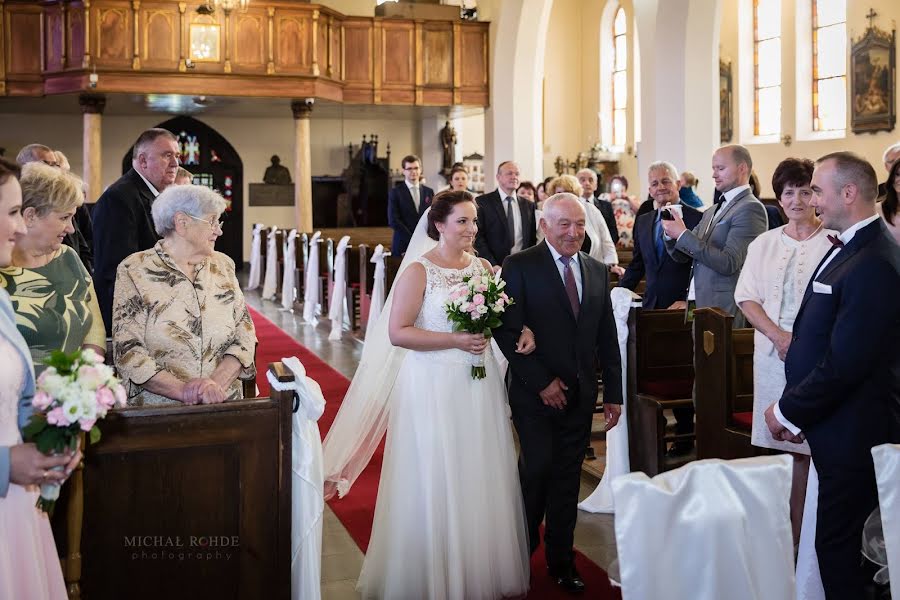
(341,557)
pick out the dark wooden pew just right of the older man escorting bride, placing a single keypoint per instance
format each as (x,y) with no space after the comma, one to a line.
(660,377)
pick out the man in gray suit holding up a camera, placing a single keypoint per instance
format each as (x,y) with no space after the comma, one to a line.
(718,244)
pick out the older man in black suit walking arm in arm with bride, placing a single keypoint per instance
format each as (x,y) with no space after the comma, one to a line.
(563,296)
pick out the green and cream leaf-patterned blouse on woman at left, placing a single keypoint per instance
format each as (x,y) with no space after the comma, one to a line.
(56,307)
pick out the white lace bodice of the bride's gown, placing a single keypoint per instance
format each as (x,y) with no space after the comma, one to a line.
(433,316)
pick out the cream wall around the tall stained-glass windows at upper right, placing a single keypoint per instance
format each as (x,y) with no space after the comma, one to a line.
(767,156)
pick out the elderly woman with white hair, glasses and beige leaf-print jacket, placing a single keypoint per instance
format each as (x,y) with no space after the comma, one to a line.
(181,329)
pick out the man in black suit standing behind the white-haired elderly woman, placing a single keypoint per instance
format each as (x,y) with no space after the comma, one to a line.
(123,223)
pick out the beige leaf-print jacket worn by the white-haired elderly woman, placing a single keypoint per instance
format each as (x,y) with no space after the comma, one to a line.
(164,322)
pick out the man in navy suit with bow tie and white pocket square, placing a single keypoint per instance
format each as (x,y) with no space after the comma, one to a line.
(842,366)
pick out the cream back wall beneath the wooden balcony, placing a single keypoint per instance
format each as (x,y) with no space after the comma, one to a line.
(255,140)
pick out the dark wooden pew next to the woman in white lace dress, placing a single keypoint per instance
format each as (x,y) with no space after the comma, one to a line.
(724,387)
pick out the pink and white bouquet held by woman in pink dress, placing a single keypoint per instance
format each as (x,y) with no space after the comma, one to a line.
(73,393)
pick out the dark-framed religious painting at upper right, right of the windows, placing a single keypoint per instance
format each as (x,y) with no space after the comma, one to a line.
(872,78)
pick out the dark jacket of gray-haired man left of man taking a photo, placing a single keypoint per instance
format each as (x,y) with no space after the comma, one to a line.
(667,280)
